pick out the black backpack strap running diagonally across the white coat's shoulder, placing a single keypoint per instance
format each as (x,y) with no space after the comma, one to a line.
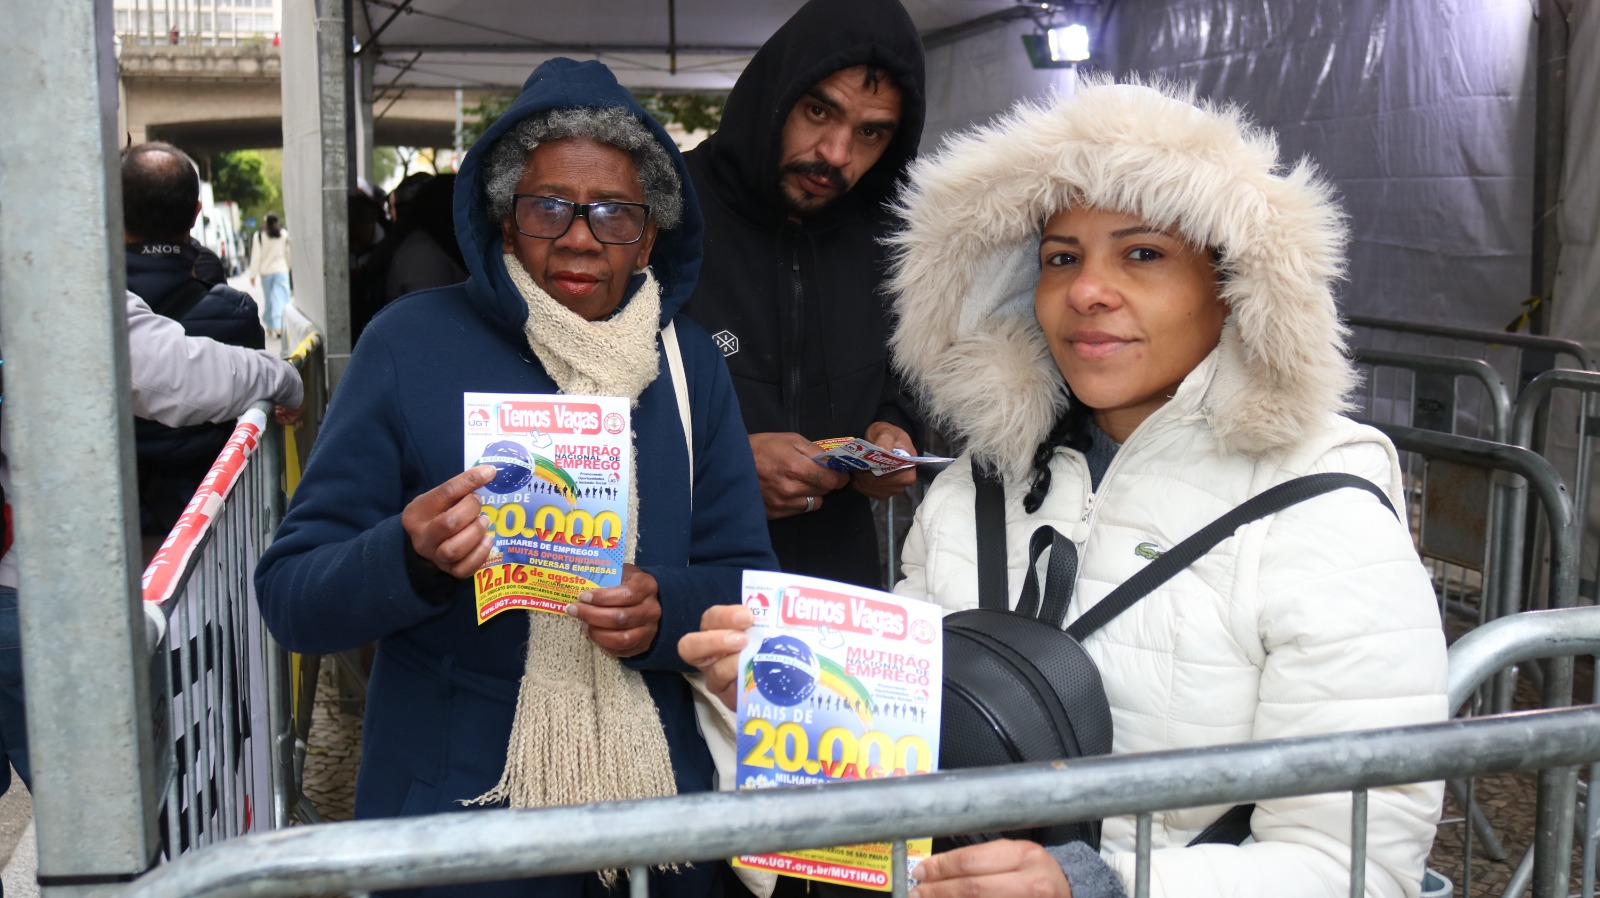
(1186,553)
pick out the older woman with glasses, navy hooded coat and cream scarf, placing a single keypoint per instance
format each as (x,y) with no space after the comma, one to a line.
(583,239)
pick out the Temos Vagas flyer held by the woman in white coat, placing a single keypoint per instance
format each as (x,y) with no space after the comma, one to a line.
(839,683)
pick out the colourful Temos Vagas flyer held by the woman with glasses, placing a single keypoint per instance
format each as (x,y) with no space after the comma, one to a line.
(559,499)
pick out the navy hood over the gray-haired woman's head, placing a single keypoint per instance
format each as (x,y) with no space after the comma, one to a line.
(567,84)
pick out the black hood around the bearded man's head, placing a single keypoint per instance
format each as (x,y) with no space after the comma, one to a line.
(818,41)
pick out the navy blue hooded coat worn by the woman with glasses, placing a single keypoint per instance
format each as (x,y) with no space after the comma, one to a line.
(444,689)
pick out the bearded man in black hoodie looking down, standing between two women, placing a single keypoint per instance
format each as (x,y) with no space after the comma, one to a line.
(814,140)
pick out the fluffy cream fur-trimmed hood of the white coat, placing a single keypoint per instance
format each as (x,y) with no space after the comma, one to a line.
(967,263)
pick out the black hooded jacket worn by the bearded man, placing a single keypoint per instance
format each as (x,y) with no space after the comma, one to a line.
(798,307)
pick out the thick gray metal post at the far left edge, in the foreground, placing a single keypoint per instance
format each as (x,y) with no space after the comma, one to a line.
(70,436)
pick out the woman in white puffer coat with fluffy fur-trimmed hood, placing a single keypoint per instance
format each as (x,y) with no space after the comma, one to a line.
(1316,620)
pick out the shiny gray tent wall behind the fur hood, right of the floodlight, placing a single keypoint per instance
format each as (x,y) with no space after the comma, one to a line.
(1422,114)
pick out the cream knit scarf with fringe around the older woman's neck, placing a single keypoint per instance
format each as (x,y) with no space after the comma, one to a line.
(586,729)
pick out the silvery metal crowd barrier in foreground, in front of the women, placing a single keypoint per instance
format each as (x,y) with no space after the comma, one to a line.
(511,844)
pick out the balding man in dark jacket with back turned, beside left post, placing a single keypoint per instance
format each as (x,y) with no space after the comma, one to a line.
(183,281)
